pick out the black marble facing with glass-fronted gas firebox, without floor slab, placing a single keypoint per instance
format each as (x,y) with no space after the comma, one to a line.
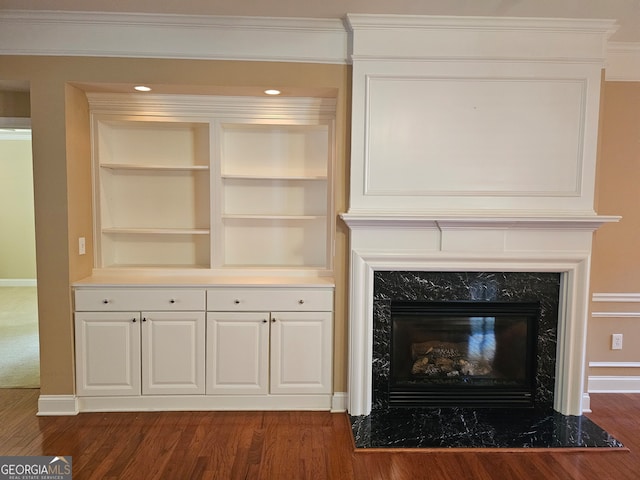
(459,316)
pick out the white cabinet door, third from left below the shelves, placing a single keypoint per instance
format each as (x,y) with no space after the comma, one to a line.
(237,353)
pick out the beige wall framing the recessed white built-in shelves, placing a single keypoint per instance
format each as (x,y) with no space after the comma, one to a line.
(62,177)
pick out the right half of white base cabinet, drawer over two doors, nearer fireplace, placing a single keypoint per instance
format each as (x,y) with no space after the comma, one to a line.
(254,348)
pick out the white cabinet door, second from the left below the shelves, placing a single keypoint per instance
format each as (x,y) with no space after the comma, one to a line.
(173,349)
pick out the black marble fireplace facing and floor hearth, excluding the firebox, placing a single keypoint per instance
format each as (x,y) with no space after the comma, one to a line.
(538,427)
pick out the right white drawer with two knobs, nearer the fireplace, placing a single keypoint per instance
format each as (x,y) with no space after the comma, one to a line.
(266,299)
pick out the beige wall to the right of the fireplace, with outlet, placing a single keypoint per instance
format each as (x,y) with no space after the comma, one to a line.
(615,266)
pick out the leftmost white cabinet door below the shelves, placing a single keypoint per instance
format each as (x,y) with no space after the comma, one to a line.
(107,353)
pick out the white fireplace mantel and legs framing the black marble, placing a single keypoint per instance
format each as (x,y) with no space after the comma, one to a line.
(418,243)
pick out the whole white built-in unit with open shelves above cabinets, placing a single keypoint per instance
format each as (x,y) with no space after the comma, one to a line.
(236,192)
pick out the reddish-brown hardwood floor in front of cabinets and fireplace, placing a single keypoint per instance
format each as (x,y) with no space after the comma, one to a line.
(288,446)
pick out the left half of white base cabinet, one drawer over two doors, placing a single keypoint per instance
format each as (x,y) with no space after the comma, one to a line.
(139,352)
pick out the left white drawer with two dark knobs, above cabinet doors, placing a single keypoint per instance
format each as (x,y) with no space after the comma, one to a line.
(120,299)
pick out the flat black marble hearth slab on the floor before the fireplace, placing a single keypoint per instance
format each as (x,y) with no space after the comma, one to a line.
(482,428)
